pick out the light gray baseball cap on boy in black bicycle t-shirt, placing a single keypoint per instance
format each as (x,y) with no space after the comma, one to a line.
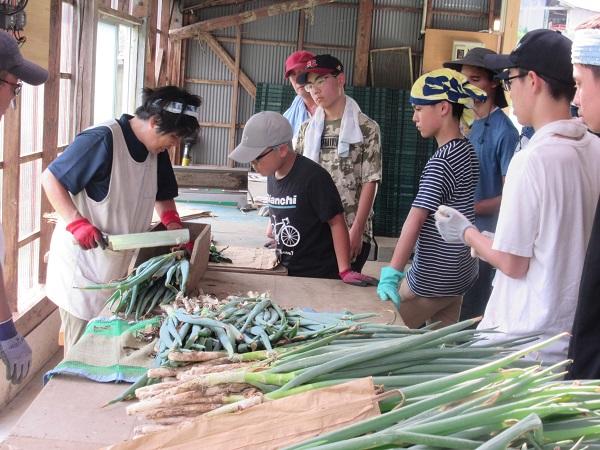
(263,130)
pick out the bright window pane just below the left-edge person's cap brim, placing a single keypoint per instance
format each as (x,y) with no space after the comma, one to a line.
(32,118)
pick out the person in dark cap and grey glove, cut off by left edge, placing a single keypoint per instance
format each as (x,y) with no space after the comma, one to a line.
(14,351)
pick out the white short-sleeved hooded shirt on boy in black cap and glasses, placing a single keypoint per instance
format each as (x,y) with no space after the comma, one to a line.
(547,211)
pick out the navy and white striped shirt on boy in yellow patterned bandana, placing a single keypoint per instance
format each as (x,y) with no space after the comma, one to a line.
(439,268)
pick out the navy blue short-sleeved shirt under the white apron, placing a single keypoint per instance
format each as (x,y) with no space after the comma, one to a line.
(87,162)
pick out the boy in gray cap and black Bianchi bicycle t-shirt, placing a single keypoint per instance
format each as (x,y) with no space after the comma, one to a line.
(307,215)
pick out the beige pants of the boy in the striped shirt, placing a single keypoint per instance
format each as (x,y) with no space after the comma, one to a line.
(416,310)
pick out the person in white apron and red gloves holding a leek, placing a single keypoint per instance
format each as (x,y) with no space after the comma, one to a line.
(108,181)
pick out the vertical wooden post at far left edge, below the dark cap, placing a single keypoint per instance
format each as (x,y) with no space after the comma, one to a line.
(10,200)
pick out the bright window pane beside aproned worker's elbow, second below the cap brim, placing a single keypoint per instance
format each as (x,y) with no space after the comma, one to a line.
(29,198)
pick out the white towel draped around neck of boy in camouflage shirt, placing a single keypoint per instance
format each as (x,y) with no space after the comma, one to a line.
(349,131)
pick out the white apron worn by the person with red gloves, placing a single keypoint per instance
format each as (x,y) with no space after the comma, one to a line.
(127,208)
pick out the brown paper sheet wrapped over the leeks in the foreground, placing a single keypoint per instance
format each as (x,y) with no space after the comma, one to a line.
(270,425)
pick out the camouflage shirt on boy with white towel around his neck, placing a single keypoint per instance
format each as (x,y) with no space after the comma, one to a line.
(349,174)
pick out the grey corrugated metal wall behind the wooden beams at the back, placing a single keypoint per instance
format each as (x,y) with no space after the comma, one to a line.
(396,23)
